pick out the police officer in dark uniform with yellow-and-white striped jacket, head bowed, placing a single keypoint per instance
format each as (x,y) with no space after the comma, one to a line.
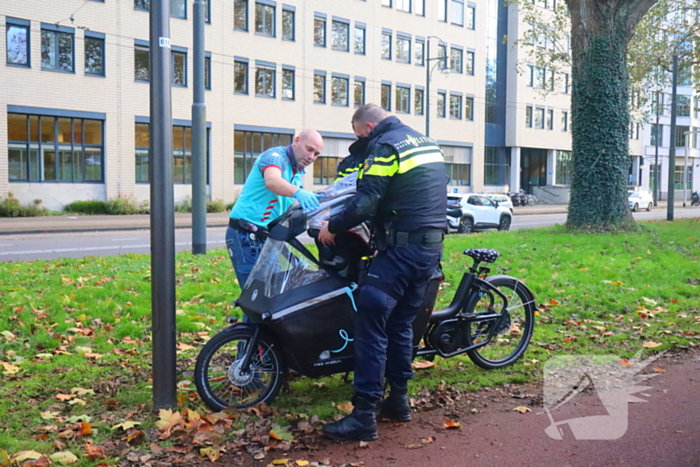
(401,187)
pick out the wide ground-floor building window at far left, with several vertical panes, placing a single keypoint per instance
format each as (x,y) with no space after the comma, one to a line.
(54,149)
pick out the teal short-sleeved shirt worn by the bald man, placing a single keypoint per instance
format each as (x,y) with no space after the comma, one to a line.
(256,203)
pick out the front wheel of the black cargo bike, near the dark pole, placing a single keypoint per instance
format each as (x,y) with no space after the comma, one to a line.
(219,381)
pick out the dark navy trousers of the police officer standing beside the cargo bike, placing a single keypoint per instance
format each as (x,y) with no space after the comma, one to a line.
(388,302)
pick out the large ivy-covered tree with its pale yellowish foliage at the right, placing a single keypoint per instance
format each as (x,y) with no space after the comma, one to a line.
(617,51)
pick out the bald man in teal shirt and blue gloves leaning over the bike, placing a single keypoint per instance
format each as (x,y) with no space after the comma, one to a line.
(272,186)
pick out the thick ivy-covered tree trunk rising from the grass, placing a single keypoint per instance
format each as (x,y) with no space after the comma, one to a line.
(600,33)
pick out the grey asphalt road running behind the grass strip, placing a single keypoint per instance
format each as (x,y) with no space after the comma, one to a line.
(30,247)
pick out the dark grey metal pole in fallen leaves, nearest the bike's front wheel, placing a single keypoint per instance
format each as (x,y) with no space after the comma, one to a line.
(162,211)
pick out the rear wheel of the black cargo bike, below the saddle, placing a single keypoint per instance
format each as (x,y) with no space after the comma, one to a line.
(507,309)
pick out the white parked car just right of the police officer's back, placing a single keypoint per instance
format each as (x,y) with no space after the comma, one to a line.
(478,213)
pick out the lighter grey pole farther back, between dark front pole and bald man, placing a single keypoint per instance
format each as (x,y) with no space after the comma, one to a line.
(199,138)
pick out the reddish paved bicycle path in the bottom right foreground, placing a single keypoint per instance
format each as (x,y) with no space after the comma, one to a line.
(665,431)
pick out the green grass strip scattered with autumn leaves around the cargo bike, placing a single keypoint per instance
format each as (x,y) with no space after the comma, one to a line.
(85,323)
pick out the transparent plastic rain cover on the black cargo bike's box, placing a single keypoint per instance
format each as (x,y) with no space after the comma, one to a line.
(280,266)
